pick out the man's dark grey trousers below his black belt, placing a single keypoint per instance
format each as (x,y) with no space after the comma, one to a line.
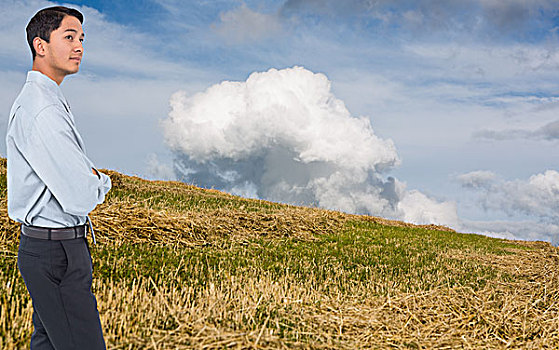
(58,276)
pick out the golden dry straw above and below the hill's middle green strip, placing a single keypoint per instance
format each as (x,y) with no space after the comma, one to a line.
(517,309)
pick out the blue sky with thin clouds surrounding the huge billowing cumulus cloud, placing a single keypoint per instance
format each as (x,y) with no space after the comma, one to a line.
(467,90)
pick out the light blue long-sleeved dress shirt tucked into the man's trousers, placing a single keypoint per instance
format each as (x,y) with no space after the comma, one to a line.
(50,181)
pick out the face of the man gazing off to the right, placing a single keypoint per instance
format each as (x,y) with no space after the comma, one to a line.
(65,50)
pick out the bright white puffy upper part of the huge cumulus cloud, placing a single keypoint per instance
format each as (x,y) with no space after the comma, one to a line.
(292,107)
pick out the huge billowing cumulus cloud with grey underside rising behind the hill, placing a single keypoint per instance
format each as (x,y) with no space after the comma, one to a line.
(282,135)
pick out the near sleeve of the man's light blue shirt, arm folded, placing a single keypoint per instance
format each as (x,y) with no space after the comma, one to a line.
(52,150)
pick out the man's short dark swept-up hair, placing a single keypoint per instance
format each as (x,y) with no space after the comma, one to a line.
(46,21)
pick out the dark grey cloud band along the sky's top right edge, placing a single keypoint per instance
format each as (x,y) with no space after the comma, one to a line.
(483,19)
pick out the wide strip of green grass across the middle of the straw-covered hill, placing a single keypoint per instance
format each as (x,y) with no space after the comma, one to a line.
(363,254)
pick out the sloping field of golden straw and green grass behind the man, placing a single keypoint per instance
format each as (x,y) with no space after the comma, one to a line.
(178,267)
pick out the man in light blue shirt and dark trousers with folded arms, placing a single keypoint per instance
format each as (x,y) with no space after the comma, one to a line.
(52,187)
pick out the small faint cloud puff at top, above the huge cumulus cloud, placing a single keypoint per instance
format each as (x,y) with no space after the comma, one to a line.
(243,25)
